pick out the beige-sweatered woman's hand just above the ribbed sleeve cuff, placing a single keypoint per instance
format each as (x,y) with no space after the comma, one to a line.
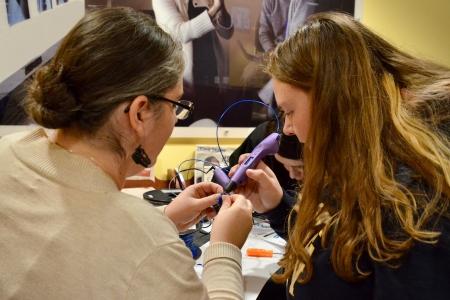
(233,222)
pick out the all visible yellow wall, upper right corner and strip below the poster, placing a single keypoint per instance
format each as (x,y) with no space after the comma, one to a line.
(419,27)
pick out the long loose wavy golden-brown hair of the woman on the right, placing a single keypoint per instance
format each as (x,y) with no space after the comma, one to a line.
(375,110)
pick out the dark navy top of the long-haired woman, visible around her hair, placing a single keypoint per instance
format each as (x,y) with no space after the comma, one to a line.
(424,272)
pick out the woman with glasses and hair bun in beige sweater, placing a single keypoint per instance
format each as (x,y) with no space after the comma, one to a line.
(111,94)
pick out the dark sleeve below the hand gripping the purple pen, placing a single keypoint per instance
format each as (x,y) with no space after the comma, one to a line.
(278,217)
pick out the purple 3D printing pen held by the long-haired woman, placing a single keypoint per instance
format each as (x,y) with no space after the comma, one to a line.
(268,146)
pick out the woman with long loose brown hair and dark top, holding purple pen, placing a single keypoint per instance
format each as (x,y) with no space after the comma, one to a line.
(372,218)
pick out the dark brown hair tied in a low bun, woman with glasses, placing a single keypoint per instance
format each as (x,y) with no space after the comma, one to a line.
(109,57)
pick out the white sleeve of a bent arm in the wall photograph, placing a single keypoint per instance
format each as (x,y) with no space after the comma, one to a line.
(169,17)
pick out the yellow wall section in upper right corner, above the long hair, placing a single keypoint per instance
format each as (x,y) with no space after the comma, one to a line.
(419,27)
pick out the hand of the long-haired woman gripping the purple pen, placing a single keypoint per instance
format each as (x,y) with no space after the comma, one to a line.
(261,188)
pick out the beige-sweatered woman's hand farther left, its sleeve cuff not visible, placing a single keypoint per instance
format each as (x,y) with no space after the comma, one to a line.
(194,203)
